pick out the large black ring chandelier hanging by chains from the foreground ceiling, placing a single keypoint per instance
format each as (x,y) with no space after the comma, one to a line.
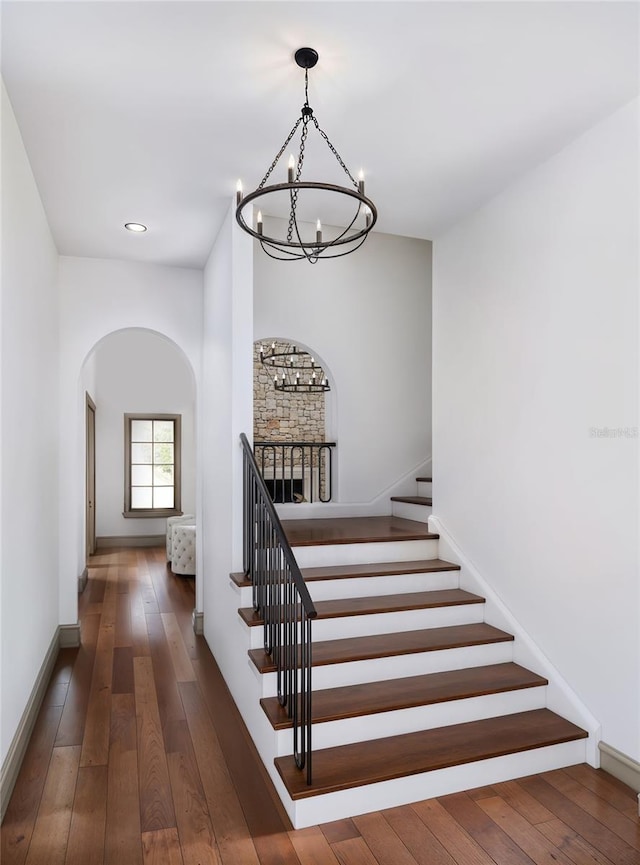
(304,240)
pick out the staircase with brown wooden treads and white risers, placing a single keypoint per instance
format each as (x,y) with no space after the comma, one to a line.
(415,695)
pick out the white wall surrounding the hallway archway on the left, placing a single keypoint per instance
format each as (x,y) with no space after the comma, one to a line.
(99,297)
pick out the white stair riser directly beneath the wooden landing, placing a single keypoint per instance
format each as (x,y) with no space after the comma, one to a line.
(355,554)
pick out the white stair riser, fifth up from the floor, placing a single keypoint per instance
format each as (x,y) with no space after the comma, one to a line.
(366,587)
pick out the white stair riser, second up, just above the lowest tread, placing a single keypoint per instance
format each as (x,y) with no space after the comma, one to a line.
(367,727)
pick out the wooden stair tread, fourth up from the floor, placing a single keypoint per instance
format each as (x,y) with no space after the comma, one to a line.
(337,608)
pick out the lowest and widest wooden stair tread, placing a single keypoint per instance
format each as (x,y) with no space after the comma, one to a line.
(346,766)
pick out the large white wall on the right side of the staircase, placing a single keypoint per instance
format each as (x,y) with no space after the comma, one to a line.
(535,346)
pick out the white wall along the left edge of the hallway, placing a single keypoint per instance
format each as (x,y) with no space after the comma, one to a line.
(29,430)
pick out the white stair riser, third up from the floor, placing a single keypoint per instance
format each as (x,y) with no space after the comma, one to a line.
(377,669)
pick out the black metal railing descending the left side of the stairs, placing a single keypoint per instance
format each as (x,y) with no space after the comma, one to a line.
(282,599)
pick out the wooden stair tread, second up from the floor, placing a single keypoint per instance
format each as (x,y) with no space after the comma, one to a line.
(352,701)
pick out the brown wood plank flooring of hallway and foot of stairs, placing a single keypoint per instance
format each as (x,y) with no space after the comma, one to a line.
(139,757)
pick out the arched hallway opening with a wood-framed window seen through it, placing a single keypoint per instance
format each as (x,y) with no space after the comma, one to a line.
(140,372)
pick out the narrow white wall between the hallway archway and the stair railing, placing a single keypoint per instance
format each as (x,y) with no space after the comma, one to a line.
(227,411)
